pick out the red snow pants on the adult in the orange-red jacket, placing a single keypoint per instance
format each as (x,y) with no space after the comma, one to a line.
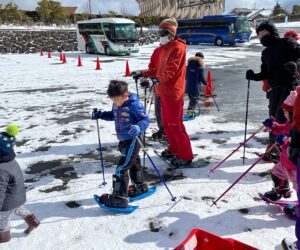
(179,141)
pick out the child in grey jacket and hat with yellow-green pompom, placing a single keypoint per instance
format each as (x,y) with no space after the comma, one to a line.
(12,189)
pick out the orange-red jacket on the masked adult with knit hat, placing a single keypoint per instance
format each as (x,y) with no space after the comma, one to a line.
(171,70)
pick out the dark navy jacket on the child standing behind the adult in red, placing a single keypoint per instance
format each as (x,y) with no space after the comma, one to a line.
(194,76)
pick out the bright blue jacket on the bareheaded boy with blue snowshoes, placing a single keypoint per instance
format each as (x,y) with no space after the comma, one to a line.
(132,112)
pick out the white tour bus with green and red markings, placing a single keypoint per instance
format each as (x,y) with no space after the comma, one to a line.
(110,36)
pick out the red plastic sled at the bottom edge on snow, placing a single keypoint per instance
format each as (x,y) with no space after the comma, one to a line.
(201,240)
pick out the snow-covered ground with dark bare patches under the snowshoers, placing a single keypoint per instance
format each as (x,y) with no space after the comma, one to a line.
(57,149)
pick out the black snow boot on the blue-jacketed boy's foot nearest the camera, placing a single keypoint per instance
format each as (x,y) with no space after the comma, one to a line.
(119,197)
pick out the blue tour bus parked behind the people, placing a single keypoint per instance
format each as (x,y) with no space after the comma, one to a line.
(218,30)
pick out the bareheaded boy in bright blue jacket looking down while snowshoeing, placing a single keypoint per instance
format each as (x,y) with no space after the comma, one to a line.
(130,121)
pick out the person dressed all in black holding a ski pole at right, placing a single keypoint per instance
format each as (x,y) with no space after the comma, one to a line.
(275,57)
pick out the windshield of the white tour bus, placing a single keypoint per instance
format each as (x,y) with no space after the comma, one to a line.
(125,31)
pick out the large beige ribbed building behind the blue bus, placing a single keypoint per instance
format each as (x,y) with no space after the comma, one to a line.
(181,8)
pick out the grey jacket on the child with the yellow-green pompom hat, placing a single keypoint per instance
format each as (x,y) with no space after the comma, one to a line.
(12,189)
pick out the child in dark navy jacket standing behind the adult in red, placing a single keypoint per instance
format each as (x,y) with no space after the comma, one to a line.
(194,78)
